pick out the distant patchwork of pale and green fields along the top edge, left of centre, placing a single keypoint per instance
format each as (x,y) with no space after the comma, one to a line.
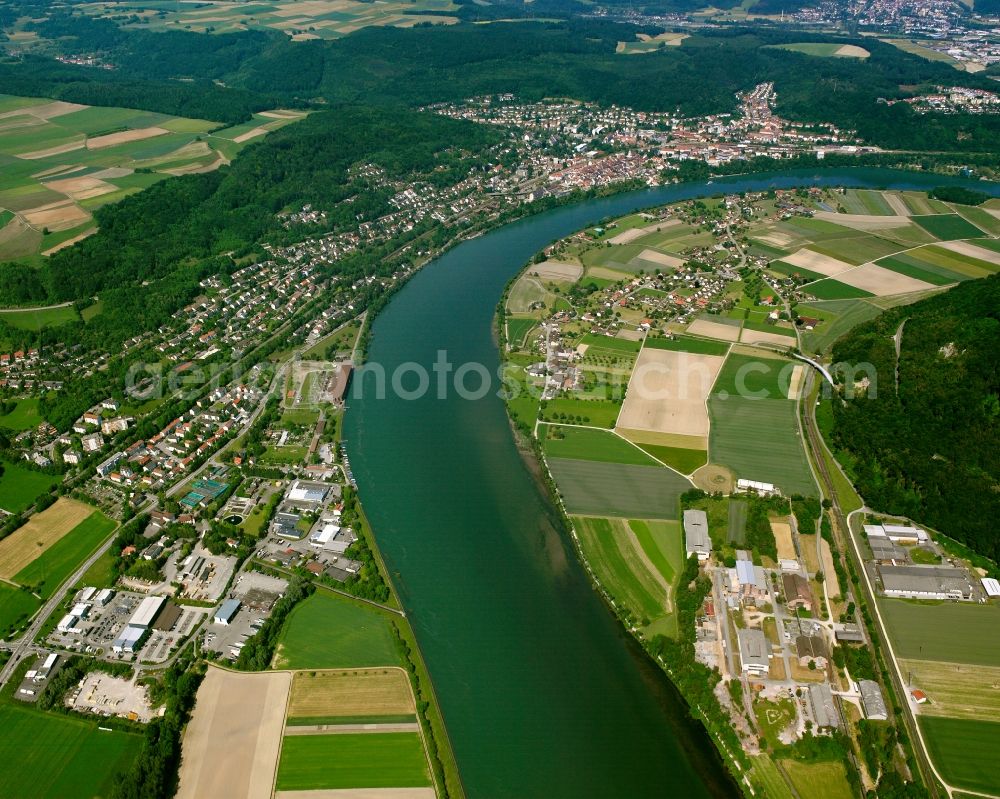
(301,20)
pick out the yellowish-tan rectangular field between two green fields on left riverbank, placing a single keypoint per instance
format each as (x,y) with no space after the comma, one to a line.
(350,695)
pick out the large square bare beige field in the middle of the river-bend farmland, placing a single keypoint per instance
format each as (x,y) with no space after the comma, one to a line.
(668,391)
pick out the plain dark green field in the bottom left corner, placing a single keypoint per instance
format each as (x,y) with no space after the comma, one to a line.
(47,755)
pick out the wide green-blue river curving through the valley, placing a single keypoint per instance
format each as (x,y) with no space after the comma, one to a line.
(543,693)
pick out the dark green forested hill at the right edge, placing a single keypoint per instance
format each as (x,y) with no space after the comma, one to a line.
(931,450)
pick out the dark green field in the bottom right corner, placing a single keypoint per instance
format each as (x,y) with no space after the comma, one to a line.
(965,751)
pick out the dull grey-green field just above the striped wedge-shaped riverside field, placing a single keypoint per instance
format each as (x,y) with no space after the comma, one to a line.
(618,489)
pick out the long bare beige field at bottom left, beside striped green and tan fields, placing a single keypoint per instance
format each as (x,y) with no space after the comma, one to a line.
(231,745)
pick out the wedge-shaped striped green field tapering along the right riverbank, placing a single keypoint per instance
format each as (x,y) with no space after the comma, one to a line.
(638,573)
